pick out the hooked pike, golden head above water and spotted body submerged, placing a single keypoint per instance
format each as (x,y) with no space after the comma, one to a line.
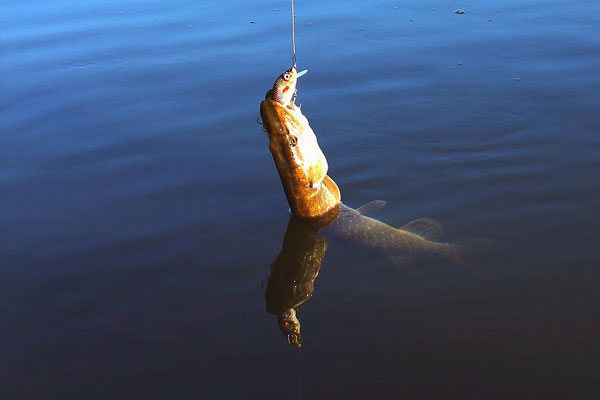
(314,197)
